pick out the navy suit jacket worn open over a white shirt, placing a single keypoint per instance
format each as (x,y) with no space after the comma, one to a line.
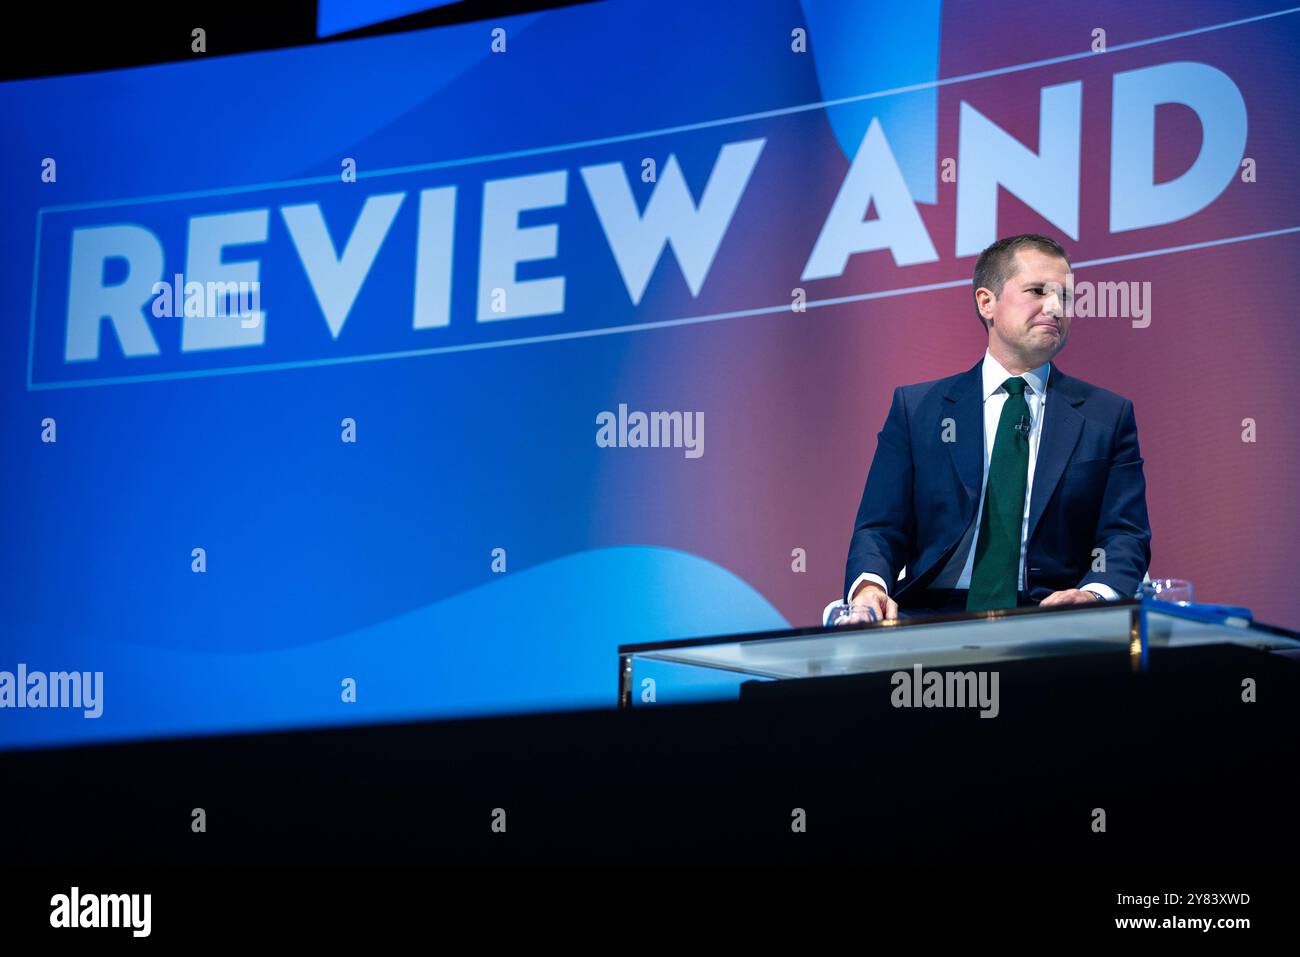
(922,493)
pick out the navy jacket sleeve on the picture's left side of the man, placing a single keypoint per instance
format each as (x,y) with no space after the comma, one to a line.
(886,525)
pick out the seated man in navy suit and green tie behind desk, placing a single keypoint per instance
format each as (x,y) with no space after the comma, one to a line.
(1011,484)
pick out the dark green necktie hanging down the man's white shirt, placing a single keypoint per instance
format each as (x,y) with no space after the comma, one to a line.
(995,579)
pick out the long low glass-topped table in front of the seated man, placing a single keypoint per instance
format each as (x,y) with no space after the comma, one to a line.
(727,668)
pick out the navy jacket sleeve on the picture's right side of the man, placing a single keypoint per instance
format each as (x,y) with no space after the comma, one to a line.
(1124,529)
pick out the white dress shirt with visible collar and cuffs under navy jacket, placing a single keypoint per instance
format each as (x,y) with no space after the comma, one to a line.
(957,573)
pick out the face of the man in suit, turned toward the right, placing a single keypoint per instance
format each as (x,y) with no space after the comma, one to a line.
(1029,318)
